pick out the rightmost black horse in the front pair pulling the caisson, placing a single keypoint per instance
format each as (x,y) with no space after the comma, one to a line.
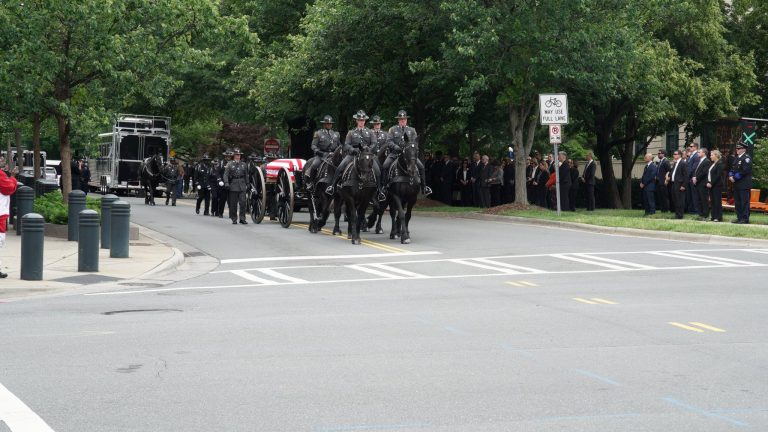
(403,188)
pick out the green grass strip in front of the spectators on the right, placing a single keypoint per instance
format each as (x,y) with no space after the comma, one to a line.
(758,228)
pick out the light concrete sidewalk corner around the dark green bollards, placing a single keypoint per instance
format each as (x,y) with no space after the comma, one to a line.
(148,256)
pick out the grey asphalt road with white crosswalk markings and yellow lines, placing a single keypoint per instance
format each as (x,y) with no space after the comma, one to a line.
(475,326)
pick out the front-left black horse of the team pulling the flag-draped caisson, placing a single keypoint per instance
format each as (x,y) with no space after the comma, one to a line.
(357,186)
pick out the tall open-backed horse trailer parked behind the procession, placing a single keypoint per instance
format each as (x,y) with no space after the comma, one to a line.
(134,138)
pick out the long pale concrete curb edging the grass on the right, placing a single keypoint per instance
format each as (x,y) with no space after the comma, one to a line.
(633,232)
